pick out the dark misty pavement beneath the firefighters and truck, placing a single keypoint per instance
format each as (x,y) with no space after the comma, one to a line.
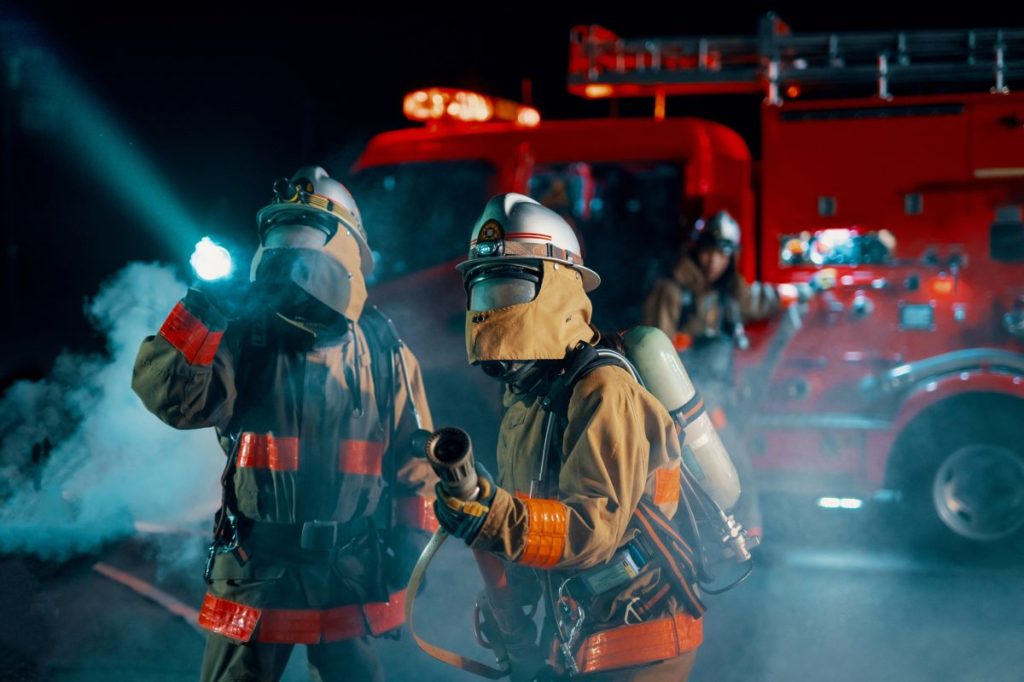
(836,596)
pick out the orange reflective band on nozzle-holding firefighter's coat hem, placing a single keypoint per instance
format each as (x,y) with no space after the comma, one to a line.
(642,644)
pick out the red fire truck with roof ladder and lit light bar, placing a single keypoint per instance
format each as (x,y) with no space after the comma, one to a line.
(893,159)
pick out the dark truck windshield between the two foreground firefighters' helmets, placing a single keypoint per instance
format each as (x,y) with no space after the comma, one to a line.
(420,215)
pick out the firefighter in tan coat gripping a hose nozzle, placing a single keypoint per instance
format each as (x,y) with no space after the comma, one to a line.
(588,479)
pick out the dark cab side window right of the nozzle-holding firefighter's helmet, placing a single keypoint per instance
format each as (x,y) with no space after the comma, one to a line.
(628,218)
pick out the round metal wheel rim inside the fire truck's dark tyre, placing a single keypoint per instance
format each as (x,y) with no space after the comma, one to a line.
(978,492)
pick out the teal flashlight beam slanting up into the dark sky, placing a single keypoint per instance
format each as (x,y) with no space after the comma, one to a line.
(113,157)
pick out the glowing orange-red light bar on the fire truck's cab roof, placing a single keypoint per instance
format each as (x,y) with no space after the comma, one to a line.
(466,107)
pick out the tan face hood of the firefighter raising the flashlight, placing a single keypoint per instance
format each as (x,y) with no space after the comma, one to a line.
(331,274)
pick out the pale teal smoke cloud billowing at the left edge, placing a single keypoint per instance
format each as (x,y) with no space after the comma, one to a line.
(82,461)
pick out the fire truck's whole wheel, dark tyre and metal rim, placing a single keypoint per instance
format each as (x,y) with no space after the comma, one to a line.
(967,486)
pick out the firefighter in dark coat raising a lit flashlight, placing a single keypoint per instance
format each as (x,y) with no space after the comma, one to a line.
(315,400)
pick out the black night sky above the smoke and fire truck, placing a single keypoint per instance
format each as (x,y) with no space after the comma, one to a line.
(223,101)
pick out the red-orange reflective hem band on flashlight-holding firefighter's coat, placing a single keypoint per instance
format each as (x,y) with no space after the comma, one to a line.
(295,626)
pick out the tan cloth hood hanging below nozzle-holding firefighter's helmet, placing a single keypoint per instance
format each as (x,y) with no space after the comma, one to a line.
(546,328)
